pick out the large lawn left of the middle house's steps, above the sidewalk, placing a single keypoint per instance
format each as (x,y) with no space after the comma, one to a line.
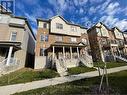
(27,75)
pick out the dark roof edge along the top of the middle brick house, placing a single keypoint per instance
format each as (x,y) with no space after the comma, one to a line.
(50,19)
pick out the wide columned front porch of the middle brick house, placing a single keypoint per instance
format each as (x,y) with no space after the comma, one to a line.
(67,54)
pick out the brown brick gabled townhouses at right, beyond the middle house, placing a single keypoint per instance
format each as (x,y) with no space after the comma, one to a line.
(106,44)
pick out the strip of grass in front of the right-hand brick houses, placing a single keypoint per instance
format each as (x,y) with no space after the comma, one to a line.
(110,64)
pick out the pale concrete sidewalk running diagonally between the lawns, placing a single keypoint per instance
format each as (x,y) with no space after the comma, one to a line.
(11,89)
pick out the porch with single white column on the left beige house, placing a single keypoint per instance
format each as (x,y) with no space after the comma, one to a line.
(7,51)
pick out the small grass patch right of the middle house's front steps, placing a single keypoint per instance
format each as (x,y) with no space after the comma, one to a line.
(78,70)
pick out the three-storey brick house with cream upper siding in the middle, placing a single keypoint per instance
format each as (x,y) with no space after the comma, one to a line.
(62,42)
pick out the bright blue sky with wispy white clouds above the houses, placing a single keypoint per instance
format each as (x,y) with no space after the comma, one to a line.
(84,12)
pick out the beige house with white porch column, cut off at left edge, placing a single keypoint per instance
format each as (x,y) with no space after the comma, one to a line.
(17,43)
